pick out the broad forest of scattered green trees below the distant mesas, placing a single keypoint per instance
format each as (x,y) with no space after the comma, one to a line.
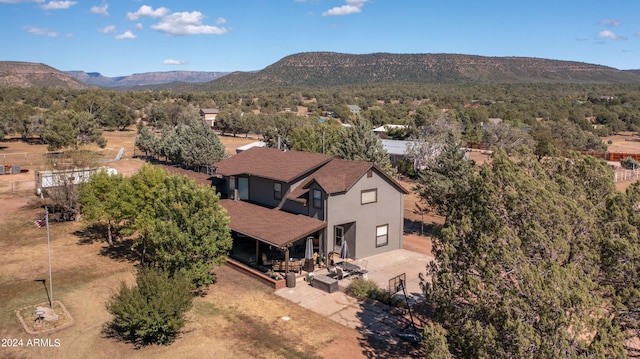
(554,118)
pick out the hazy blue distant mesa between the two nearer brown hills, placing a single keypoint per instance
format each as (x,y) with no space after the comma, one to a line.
(145,79)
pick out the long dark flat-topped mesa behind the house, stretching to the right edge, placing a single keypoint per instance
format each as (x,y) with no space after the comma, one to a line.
(325,69)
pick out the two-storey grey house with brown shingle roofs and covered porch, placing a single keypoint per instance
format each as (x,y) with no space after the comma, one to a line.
(278,200)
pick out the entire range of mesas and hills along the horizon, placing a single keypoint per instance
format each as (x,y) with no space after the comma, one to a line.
(330,69)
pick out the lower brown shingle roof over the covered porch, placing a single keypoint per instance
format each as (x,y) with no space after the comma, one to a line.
(271,226)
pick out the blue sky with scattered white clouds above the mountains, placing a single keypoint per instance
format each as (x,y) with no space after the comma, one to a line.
(132,36)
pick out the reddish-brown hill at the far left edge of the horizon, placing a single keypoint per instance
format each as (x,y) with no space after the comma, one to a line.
(28,74)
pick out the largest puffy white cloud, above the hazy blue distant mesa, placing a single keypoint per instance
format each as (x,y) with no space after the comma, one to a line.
(186,23)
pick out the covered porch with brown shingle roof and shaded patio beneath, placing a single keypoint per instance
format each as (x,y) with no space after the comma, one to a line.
(270,240)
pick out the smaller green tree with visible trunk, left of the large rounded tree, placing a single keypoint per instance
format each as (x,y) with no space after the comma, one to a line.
(100,198)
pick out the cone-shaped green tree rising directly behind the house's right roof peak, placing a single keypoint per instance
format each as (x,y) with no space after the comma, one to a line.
(362,144)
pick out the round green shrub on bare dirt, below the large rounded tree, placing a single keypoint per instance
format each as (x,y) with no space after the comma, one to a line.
(153,311)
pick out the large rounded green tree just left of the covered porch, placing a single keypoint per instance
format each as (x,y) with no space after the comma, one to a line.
(182,228)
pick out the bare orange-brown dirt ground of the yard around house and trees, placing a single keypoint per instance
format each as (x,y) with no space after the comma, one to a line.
(238,318)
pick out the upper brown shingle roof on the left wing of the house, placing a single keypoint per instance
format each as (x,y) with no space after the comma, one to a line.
(272,163)
